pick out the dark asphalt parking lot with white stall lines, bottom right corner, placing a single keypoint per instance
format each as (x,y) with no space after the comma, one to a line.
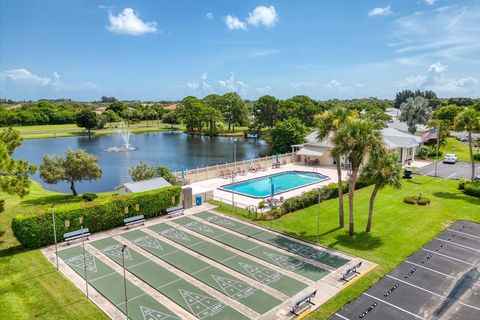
(440,281)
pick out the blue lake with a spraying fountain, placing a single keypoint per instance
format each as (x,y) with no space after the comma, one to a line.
(176,150)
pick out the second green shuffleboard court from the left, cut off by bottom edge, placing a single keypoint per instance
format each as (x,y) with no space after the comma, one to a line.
(194,300)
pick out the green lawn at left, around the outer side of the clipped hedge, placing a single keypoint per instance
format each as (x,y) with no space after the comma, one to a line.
(30,287)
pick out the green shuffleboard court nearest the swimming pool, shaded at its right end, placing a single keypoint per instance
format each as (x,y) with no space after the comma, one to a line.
(275,239)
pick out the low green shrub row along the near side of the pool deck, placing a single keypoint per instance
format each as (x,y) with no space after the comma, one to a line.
(310,198)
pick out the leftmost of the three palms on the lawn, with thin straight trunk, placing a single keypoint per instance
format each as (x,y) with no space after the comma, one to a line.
(328,123)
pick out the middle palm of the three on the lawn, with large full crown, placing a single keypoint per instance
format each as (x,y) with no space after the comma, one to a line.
(355,140)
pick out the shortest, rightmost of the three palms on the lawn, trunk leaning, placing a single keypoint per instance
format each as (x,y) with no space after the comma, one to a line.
(381,170)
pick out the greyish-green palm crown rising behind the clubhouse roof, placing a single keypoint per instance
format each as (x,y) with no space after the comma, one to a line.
(415,111)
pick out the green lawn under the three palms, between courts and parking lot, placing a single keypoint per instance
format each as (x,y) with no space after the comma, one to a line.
(398,229)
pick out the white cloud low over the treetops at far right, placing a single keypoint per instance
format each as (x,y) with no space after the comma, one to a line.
(436,80)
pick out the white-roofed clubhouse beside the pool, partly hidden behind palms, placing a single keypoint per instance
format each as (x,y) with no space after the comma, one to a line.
(404,144)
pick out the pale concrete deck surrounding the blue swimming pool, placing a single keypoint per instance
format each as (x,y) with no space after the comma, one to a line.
(214,184)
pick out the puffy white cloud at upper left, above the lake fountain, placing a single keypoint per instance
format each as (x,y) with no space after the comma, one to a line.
(127,22)
